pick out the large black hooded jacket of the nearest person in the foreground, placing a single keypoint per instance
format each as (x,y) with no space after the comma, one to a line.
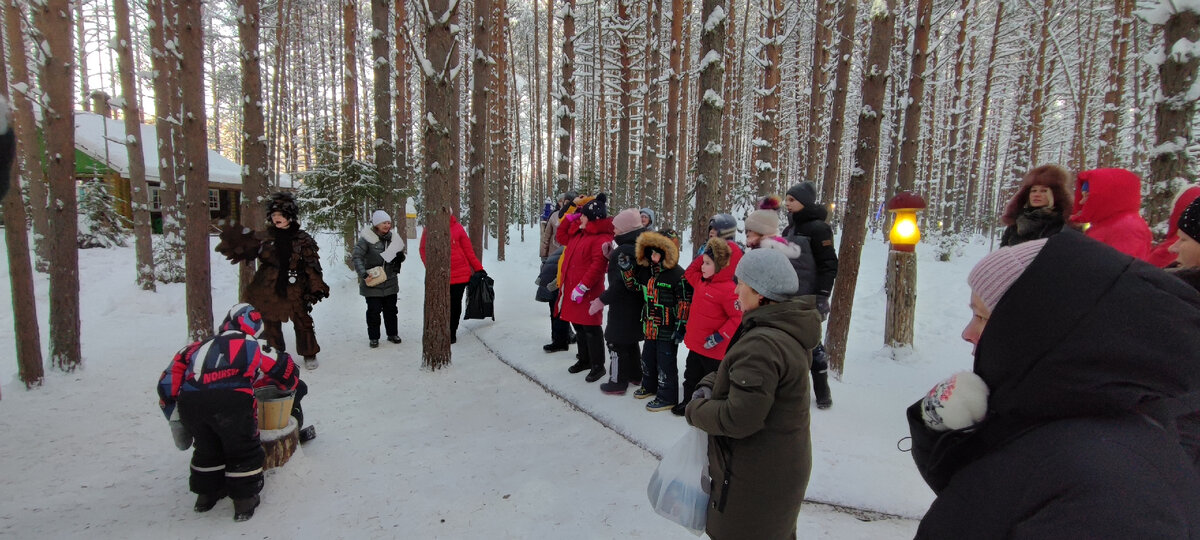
(1079,357)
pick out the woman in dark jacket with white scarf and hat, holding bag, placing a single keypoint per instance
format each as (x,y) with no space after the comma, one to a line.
(380,247)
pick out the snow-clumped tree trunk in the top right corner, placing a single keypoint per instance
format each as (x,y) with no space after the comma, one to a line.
(1174,112)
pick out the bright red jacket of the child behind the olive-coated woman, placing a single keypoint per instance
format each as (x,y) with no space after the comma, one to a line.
(712,308)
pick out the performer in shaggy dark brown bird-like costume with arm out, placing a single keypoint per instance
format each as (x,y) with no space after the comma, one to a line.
(289,280)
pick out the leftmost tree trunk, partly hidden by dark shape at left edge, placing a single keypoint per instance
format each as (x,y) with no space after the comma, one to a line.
(21,272)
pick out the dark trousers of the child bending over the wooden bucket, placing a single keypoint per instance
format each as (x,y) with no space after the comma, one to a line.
(227,453)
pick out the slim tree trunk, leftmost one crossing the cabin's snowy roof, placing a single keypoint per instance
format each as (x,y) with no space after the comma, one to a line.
(131,110)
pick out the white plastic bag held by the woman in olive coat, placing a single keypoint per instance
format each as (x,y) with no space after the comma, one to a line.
(680,485)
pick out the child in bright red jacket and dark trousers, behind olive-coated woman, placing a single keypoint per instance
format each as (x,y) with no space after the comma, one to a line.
(713,317)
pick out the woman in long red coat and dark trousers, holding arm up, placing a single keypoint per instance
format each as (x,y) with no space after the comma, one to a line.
(581,279)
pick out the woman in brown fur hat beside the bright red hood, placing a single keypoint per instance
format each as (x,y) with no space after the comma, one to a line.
(1040,208)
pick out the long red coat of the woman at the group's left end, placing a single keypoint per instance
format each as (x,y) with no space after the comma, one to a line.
(583,262)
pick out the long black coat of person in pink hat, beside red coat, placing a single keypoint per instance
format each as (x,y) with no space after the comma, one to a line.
(623,323)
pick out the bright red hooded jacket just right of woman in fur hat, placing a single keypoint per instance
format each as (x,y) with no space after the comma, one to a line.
(1113,209)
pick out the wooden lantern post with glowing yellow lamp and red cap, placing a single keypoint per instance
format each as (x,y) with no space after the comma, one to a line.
(902,279)
